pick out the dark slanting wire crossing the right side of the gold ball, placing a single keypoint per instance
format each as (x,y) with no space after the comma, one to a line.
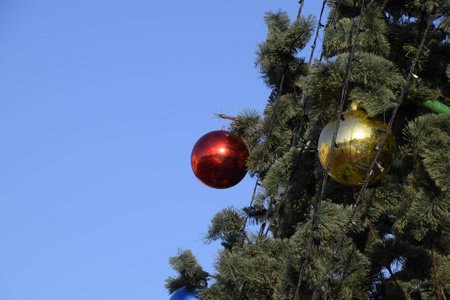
(380,147)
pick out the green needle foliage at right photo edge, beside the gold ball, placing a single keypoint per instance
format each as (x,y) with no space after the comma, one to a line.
(426,209)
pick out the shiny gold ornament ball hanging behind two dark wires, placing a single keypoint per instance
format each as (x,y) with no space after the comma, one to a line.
(356,147)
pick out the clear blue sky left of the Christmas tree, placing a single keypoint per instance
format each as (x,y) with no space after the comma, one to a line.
(101,102)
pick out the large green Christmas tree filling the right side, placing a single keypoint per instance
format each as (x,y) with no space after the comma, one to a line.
(323,232)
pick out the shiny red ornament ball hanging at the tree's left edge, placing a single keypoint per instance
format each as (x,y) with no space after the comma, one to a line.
(219,159)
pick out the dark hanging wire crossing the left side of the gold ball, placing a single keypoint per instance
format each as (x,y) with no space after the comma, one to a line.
(316,213)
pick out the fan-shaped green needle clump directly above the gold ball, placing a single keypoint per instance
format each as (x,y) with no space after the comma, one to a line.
(374,80)
